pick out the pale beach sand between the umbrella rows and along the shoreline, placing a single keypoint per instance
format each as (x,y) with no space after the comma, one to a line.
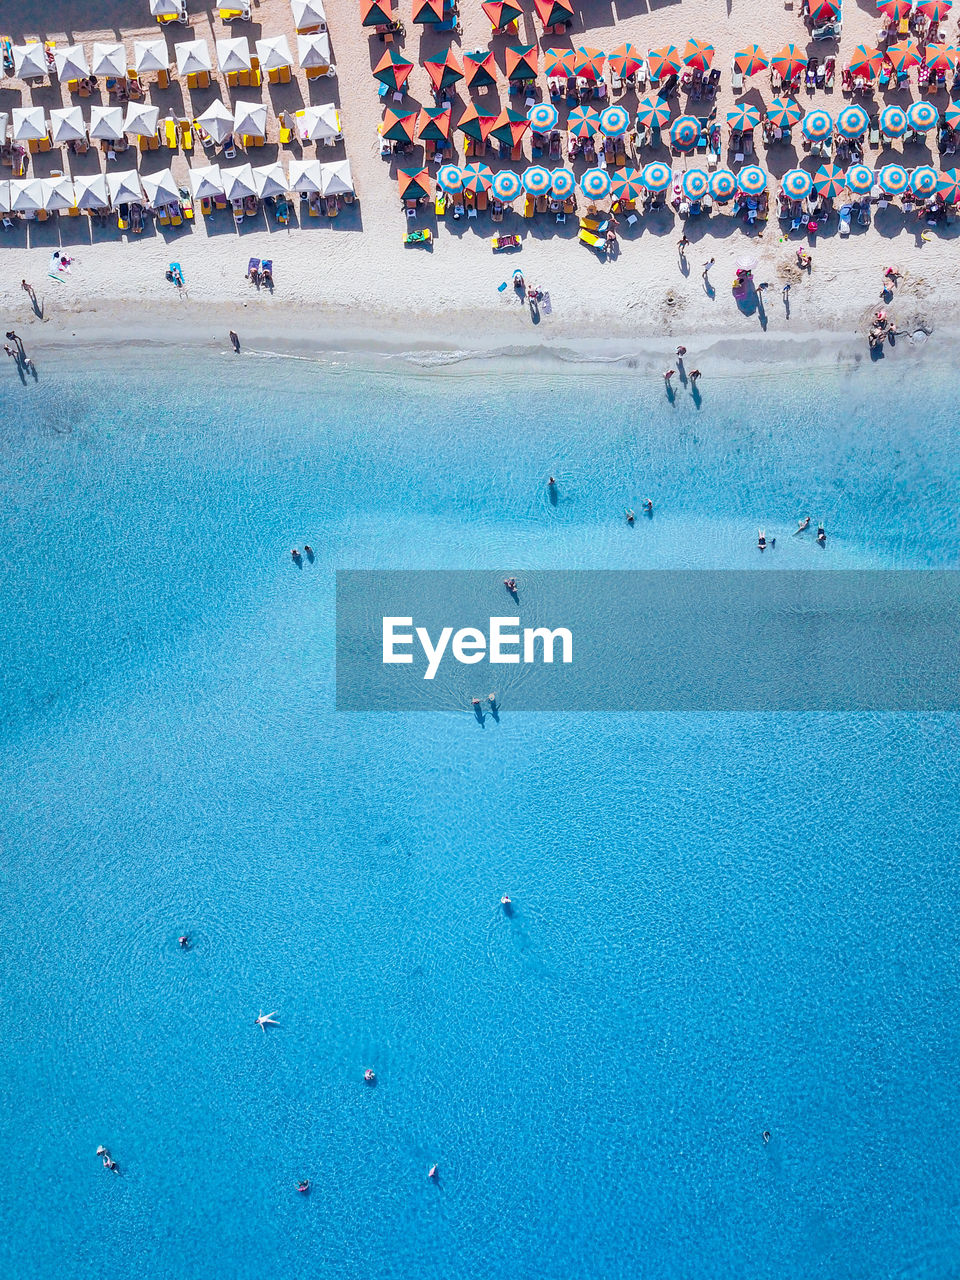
(358,273)
